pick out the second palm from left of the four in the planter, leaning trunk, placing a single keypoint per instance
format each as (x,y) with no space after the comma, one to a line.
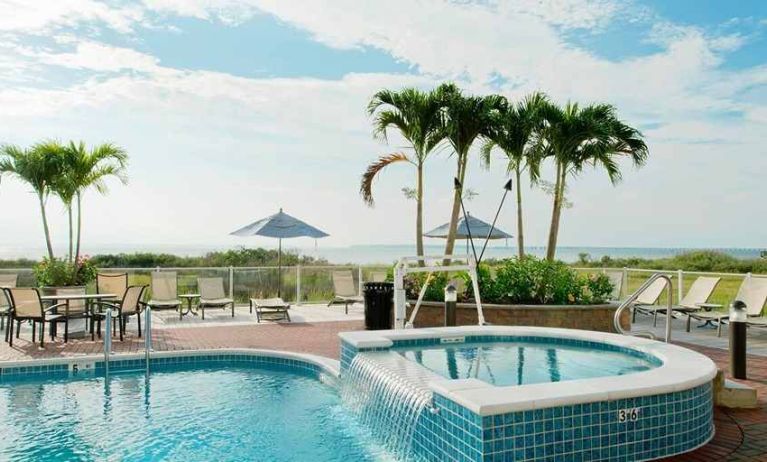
(465,119)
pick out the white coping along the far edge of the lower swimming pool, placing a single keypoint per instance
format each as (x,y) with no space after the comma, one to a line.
(329,366)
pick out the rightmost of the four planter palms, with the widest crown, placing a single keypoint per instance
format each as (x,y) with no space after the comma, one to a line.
(576,137)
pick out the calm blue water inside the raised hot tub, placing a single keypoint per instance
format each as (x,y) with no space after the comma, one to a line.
(522,363)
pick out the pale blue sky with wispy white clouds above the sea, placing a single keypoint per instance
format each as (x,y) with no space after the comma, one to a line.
(231,109)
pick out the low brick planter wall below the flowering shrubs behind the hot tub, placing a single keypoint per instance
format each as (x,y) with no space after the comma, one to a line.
(586,317)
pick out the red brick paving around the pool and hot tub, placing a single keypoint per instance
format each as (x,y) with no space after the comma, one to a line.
(741,435)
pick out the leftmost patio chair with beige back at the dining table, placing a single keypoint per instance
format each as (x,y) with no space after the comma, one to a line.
(26,305)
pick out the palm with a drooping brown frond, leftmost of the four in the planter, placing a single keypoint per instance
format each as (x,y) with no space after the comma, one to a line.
(416,115)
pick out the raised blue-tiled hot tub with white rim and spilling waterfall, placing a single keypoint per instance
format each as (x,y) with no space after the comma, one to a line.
(509,393)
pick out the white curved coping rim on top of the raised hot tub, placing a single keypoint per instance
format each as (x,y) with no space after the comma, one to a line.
(681,369)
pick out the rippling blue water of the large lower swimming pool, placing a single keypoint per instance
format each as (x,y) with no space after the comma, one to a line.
(214,414)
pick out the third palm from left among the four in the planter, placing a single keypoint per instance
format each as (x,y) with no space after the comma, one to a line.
(515,132)
